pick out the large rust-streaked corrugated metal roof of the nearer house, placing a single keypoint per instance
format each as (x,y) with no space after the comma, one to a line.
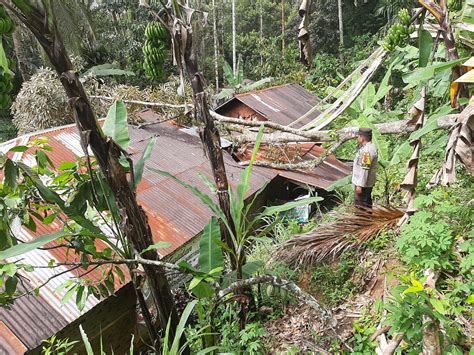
(174,213)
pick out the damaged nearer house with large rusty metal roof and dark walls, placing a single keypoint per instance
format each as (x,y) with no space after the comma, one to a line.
(175,215)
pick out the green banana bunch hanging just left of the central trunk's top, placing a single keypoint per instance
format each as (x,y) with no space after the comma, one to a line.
(155,50)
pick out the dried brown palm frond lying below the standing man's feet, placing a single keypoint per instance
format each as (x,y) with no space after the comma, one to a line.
(350,230)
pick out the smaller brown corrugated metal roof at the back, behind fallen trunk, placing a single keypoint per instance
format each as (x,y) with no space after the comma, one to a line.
(281,104)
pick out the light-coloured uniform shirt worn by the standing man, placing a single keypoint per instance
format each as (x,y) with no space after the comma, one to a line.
(365,165)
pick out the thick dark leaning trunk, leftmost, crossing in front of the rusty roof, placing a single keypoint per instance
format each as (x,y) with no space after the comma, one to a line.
(134,222)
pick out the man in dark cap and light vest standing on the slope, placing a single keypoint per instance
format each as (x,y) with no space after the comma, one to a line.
(365,168)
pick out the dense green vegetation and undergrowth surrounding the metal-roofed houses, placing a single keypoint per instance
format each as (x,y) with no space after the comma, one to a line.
(411,285)
